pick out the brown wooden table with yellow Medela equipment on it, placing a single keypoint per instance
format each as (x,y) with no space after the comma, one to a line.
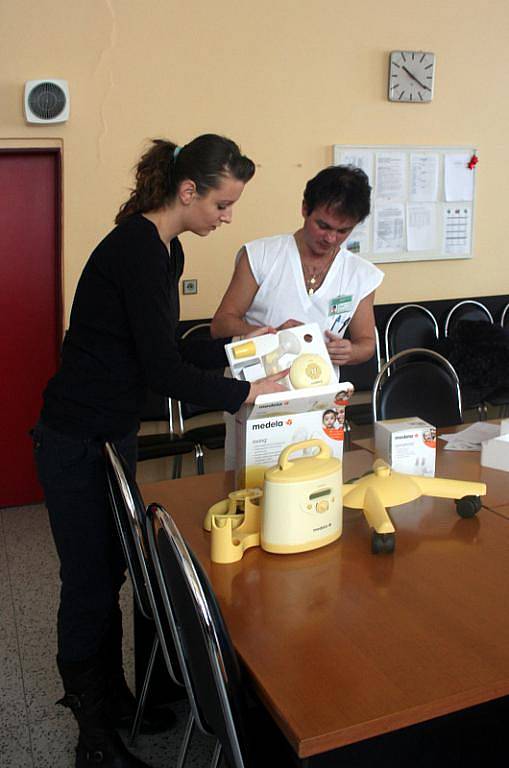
(342,645)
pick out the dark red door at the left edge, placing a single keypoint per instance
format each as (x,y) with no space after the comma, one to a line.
(30,308)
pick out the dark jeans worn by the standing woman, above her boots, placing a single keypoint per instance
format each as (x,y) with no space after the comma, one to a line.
(92,564)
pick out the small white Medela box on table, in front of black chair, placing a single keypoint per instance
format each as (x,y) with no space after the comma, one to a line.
(408,445)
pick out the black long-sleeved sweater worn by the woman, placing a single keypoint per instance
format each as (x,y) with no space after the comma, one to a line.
(122,340)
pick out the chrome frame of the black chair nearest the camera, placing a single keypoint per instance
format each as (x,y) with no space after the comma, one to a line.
(218,666)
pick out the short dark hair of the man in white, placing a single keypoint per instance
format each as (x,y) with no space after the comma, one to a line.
(342,188)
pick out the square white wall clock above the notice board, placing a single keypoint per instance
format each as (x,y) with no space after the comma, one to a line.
(411,76)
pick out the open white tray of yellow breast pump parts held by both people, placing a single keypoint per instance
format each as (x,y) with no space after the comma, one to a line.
(302,349)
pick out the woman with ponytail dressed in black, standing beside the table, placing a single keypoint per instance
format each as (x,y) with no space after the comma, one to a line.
(121,342)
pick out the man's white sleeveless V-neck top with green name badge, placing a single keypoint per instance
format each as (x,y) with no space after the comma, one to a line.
(276,267)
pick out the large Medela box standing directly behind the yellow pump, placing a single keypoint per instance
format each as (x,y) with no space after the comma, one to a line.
(274,421)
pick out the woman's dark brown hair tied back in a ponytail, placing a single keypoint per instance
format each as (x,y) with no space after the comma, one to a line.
(206,160)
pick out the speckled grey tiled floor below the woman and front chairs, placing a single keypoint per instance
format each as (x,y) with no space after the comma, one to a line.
(34,732)
